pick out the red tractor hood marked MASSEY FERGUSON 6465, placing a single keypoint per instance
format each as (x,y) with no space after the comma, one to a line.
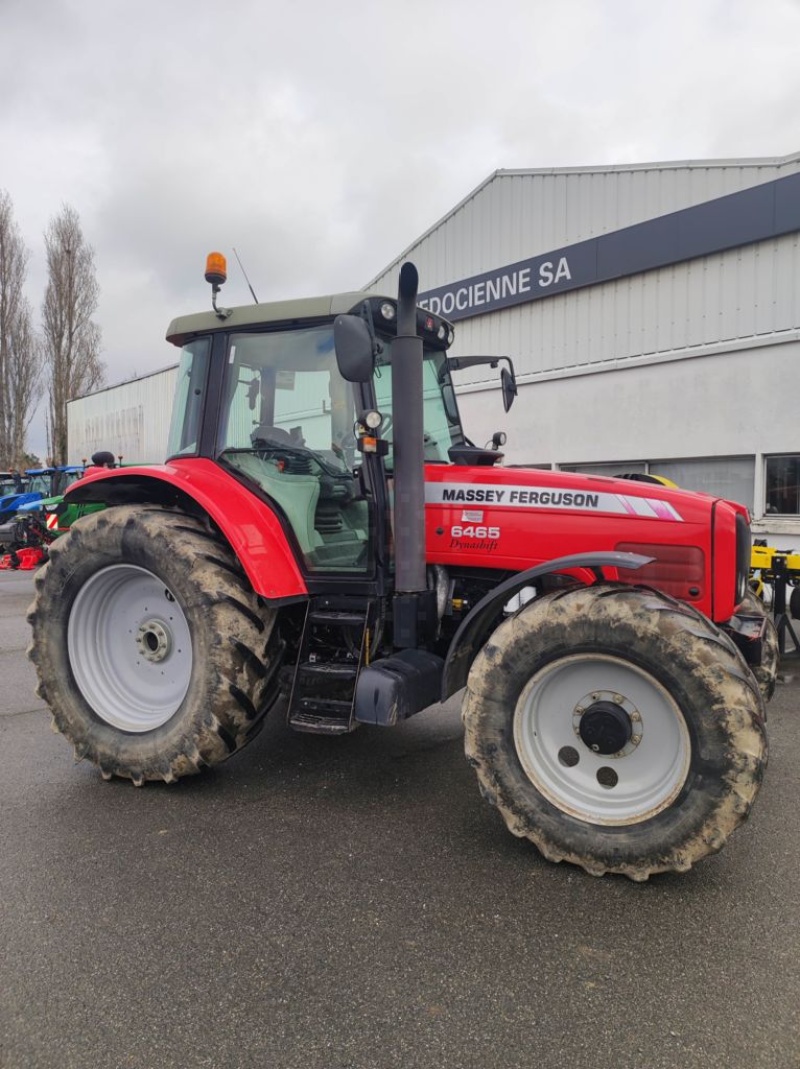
(516,519)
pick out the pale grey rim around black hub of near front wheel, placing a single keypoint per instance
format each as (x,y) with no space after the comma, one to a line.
(650,771)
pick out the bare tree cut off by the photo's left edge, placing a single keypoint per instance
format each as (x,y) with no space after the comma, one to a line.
(21,358)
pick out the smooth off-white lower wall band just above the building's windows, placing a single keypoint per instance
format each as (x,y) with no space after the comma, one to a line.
(735,404)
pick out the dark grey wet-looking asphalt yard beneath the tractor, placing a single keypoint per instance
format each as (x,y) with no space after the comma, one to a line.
(353,903)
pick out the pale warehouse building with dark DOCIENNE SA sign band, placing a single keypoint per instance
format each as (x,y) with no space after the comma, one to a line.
(652,312)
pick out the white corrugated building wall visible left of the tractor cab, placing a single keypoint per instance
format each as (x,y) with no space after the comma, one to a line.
(131,420)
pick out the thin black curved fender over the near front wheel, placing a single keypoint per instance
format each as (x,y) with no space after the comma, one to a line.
(479,625)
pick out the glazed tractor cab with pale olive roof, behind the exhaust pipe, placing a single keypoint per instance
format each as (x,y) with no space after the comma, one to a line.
(304,416)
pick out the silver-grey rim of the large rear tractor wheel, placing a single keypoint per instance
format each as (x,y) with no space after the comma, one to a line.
(130,648)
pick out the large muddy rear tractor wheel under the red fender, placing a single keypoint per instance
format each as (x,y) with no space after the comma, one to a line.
(152,650)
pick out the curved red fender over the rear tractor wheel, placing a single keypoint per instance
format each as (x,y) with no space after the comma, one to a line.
(250,525)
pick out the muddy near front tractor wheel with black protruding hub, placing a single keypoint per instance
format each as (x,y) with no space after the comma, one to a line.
(617,730)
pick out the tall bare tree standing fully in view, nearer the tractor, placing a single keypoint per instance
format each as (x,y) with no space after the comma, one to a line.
(72,342)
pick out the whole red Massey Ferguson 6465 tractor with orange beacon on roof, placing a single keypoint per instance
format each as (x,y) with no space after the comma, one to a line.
(324,533)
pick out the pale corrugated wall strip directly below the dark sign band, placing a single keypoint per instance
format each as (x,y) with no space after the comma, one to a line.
(745,293)
